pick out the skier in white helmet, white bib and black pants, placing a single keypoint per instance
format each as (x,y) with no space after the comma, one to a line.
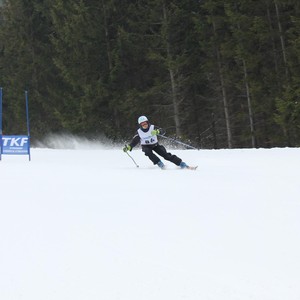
(147,136)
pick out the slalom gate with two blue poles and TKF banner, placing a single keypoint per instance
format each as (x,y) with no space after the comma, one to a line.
(14,144)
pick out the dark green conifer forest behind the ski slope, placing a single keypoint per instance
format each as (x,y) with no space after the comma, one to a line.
(215,74)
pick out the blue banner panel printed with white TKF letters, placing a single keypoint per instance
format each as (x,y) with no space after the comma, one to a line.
(15,144)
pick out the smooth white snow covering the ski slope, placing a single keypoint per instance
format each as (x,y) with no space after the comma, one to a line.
(87,224)
